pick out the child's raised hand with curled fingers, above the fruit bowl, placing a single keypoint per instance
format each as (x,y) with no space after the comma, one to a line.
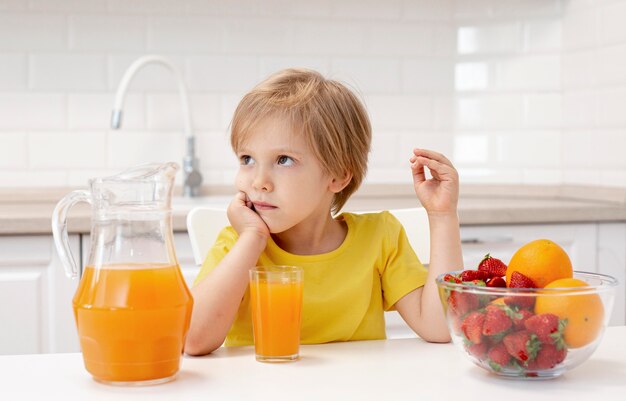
(440,194)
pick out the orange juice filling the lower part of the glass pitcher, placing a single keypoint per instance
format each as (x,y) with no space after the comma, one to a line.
(132,332)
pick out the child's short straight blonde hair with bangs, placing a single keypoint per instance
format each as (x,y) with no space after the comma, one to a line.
(332,119)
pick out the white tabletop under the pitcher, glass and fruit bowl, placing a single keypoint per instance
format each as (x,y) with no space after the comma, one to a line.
(402,369)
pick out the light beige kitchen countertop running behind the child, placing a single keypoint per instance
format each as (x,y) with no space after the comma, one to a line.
(28,211)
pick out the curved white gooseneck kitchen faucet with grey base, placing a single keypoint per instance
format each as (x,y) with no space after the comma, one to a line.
(193,178)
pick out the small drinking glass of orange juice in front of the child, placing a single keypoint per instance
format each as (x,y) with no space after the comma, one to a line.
(276,304)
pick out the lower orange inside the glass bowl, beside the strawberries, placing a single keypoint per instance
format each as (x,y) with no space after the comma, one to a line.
(584,313)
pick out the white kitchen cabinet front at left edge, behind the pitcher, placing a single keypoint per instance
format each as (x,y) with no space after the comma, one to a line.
(36,296)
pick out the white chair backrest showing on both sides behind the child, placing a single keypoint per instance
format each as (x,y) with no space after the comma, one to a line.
(205,223)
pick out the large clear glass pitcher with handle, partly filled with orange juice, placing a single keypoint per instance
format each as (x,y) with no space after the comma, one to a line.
(132,307)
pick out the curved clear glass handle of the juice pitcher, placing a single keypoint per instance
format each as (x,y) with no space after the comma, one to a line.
(59,230)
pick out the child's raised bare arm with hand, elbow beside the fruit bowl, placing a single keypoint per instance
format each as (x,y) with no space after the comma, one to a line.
(421,308)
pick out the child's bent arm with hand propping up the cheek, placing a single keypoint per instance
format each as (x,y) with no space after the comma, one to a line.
(218,296)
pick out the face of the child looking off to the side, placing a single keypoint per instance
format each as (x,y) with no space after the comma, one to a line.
(281,176)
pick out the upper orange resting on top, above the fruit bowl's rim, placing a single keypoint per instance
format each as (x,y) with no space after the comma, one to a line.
(542,261)
